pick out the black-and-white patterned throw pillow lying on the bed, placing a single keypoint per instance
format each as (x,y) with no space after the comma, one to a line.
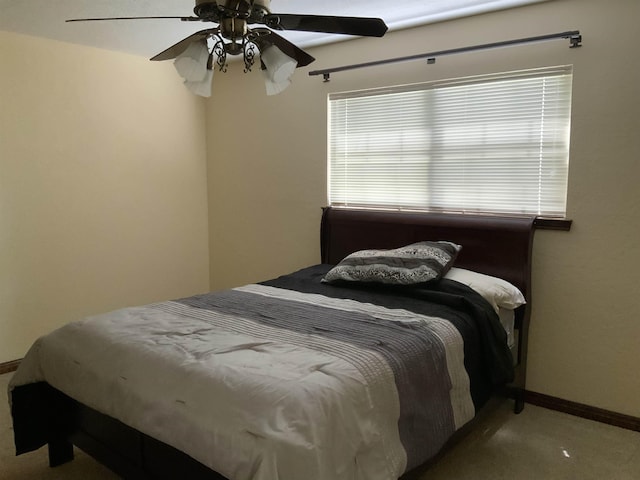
(416,263)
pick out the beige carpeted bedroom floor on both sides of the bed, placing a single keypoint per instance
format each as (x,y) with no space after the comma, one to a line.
(538,444)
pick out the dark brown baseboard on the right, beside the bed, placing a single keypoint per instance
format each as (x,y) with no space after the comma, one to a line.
(585,411)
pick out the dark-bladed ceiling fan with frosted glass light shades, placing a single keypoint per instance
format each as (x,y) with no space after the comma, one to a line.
(234,36)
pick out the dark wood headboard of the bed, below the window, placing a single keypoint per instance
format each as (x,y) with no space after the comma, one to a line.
(497,246)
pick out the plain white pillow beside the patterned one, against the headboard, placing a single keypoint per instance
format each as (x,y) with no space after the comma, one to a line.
(499,293)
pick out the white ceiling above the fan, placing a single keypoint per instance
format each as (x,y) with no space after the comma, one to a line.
(46,18)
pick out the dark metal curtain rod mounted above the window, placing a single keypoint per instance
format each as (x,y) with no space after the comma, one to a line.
(574,37)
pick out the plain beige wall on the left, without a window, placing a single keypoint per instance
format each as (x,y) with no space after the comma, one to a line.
(103,197)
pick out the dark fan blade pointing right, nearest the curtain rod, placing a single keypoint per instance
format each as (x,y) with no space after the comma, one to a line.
(368,27)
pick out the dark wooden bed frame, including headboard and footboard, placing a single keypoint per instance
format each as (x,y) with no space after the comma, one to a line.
(496,246)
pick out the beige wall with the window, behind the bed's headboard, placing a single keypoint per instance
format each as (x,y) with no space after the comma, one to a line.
(267,175)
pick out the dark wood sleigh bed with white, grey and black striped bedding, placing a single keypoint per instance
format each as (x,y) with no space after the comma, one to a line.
(341,403)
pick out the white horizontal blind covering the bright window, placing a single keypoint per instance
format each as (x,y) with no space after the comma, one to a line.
(496,144)
